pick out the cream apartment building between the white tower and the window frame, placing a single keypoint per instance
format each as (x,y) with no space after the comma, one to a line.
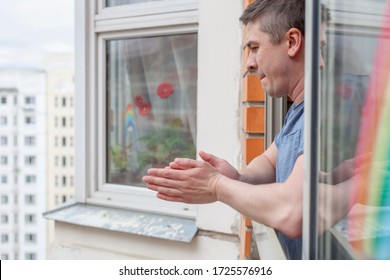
(60,131)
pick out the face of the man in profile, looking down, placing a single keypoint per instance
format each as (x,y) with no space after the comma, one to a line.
(267,60)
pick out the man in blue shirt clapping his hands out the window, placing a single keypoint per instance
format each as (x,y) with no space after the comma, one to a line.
(270,189)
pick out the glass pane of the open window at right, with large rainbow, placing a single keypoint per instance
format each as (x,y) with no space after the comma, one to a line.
(354,187)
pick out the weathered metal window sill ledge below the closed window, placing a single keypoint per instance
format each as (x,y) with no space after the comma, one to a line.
(127,221)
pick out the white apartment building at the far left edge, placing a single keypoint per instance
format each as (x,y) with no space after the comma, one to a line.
(22,163)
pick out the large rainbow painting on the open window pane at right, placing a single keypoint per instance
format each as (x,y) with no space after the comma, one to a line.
(372,181)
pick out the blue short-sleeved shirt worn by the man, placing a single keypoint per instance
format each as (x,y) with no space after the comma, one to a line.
(290,146)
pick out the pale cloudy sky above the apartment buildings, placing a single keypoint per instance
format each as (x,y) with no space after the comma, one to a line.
(32,29)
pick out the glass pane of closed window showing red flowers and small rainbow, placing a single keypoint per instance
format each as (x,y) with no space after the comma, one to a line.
(151,102)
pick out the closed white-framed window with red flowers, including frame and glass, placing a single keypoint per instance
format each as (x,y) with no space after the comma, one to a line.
(146,91)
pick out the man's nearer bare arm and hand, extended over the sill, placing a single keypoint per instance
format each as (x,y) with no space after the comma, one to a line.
(278,205)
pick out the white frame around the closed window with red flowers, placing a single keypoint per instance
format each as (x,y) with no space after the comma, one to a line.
(158,18)
